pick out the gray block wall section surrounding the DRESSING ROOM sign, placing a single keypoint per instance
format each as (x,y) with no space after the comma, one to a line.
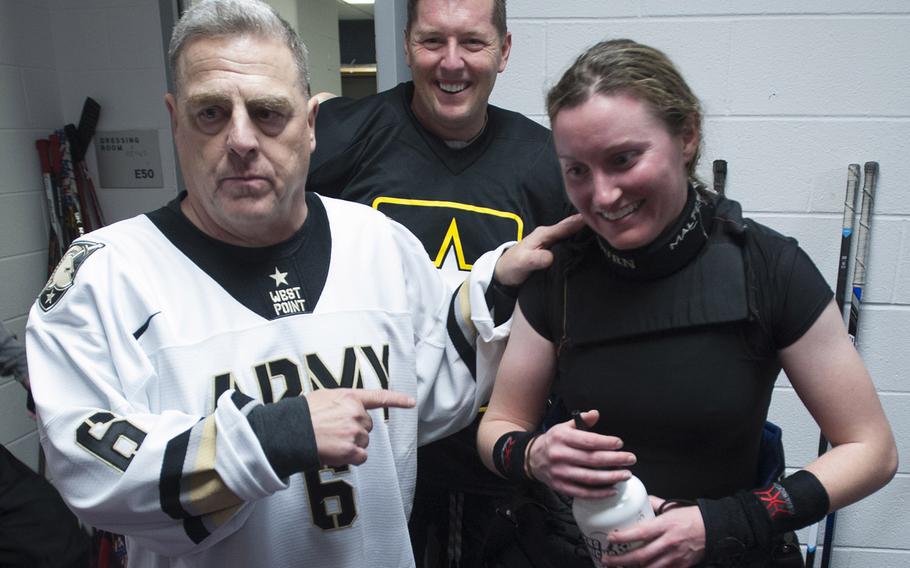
(111,50)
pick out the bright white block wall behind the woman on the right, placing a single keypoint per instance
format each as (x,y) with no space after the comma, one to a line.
(792,93)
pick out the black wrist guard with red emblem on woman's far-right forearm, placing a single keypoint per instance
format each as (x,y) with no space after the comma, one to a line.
(743,526)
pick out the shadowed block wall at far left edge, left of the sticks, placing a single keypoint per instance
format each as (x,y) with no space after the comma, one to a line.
(29,109)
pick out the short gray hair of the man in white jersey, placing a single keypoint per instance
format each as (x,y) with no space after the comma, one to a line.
(223,18)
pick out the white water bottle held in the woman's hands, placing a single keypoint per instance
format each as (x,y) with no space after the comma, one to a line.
(597,517)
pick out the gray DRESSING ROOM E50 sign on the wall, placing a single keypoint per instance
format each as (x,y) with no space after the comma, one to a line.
(128,158)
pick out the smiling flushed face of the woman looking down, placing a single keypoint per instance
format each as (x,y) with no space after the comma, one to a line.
(624,171)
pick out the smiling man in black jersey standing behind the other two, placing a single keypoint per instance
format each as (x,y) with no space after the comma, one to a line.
(464,176)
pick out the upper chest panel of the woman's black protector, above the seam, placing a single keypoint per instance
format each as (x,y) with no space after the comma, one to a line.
(702,281)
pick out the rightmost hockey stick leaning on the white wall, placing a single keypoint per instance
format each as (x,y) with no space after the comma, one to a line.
(859,282)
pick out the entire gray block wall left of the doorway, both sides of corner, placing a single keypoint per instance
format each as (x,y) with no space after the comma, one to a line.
(53,54)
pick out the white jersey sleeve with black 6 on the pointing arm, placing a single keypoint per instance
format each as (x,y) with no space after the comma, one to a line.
(108,450)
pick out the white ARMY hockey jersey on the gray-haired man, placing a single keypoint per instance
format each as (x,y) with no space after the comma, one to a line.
(151,344)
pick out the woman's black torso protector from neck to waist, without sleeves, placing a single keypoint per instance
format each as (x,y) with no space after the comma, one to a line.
(677,363)
